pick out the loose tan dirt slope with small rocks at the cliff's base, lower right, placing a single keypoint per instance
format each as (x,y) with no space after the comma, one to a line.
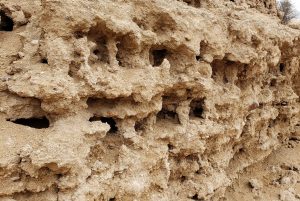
(278,176)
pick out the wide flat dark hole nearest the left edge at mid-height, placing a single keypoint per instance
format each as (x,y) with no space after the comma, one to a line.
(37,123)
